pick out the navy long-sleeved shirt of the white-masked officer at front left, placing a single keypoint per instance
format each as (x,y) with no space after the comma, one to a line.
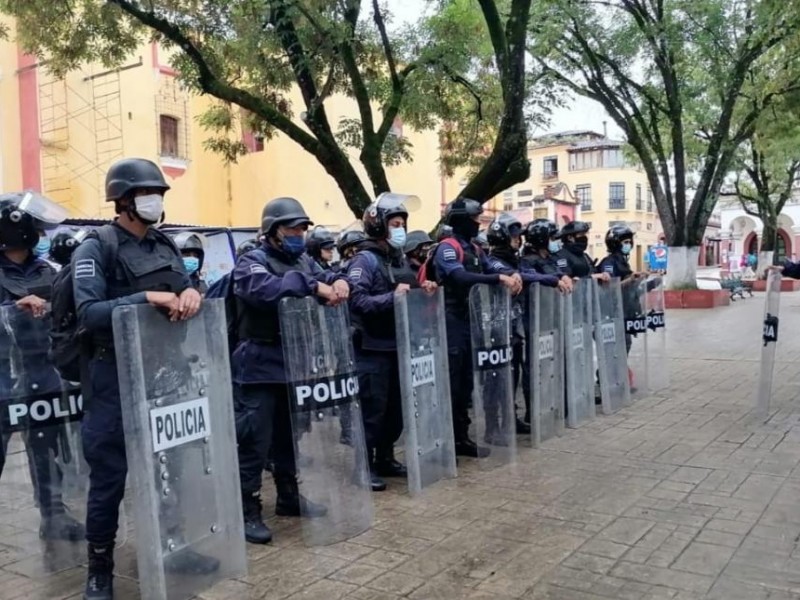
(90,281)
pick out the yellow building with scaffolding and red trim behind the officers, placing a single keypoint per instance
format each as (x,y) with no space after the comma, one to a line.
(61,135)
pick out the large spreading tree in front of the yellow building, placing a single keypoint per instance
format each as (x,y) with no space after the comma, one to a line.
(454,69)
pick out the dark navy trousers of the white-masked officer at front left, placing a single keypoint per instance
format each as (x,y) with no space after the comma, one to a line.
(104,450)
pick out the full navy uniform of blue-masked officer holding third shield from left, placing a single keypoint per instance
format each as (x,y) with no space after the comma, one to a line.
(262,278)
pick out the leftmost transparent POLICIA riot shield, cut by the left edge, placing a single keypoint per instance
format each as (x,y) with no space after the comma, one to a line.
(43,477)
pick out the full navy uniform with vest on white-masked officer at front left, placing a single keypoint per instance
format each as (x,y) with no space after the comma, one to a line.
(152,263)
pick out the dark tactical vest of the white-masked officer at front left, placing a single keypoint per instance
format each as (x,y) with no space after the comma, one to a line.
(140,269)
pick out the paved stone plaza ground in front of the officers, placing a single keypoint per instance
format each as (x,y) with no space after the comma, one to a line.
(683,496)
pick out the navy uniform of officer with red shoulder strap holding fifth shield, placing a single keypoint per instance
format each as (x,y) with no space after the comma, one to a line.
(457,277)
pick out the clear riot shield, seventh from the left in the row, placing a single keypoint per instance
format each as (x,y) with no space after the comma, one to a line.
(578,350)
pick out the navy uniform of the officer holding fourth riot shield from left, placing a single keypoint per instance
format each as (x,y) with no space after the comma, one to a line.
(373,275)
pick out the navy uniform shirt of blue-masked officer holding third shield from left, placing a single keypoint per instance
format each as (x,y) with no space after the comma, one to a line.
(257,363)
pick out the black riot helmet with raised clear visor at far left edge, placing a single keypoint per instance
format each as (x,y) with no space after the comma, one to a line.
(23,215)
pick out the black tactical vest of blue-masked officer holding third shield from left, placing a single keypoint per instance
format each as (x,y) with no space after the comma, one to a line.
(262,324)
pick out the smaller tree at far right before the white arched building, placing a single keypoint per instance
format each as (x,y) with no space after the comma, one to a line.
(767,168)
